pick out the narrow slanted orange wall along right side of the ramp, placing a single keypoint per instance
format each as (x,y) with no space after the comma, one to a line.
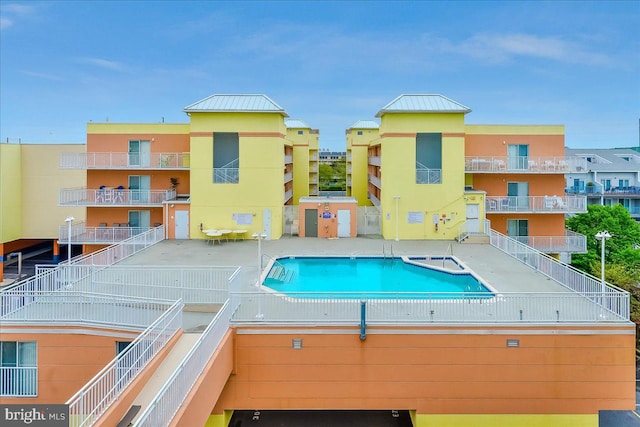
(198,404)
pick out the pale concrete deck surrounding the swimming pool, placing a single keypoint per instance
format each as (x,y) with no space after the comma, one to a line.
(502,272)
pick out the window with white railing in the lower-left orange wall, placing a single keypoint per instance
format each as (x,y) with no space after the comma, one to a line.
(18,368)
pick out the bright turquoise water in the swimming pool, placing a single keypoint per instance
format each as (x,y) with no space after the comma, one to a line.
(351,277)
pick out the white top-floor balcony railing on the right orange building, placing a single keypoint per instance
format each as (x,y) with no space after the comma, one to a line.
(524,164)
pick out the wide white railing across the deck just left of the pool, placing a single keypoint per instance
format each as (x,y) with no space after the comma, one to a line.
(192,284)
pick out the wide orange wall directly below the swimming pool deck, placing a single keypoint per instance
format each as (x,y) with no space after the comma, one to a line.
(561,370)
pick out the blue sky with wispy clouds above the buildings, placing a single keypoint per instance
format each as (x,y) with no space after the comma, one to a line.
(65,63)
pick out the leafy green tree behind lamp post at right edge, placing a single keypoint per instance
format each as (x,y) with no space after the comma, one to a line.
(620,248)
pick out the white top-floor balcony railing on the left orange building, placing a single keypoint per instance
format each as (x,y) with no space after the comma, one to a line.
(125,161)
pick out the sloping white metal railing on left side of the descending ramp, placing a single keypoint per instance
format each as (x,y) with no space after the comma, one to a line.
(92,400)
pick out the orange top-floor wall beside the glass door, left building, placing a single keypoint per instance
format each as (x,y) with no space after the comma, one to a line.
(119,143)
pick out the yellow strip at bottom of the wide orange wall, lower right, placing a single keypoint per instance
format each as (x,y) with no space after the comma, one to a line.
(492,420)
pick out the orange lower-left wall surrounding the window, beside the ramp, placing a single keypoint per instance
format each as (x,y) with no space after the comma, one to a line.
(67,361)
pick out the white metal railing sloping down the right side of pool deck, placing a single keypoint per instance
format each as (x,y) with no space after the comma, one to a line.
(611,297)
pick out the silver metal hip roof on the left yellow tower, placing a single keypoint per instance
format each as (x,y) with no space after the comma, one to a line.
(235,103)
